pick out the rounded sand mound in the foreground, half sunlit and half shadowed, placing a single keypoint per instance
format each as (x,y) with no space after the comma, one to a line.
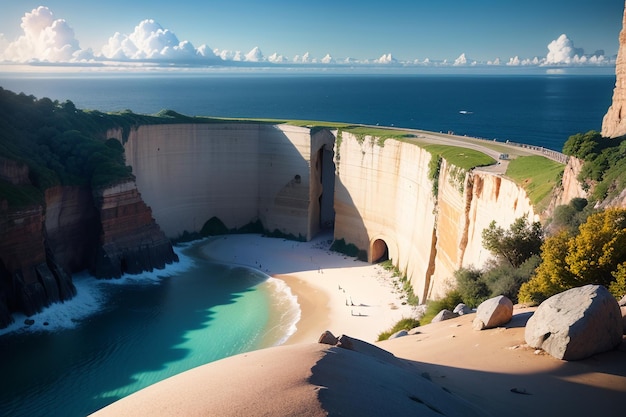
(308,379)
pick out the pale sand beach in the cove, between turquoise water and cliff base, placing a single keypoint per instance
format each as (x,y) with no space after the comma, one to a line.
(335,292)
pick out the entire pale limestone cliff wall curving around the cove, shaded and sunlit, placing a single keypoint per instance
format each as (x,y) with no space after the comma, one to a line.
(383,198)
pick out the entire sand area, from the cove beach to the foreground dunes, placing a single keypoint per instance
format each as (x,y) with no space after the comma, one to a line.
(445,368)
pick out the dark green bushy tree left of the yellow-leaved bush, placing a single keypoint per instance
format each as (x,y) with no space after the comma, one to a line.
(515,245)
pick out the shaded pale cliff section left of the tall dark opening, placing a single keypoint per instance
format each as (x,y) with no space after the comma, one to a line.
(238,172)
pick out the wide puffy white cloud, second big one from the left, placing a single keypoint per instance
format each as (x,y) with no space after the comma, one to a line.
(151,42)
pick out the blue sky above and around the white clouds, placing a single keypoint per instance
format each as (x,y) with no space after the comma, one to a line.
(483,30)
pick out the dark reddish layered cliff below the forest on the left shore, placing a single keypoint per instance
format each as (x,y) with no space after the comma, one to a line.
(71,231)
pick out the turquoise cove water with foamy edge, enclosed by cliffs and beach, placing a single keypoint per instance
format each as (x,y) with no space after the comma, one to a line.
(120,336)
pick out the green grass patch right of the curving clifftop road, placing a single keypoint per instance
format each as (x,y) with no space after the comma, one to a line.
(535,174)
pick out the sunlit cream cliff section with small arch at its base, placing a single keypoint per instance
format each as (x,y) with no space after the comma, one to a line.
(384,199)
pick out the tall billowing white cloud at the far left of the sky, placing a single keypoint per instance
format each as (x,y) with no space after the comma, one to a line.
(44,38)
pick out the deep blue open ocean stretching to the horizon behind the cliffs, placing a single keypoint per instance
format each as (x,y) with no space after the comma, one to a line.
(542,110)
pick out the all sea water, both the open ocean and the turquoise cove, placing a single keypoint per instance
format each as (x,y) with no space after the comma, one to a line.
(119,336)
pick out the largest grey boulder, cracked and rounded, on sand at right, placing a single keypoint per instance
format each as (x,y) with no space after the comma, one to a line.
(576,323)
